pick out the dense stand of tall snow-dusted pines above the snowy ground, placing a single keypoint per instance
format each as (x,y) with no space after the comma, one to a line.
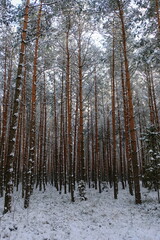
(80,96)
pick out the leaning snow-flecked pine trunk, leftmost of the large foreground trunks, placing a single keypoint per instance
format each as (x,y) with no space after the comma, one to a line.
(14,117)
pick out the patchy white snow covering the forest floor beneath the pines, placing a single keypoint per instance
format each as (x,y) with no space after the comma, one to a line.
(52,216)
